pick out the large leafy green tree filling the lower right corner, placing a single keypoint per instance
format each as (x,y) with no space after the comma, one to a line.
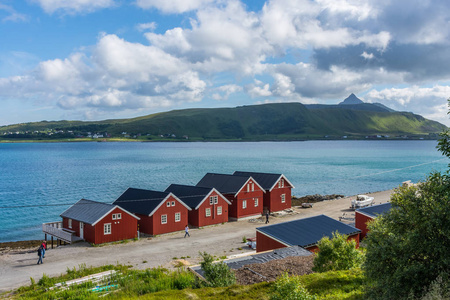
(408,248)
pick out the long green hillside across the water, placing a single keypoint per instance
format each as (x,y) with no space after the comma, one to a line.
(281,121)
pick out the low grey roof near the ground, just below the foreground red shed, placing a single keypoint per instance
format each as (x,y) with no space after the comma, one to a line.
(237,263)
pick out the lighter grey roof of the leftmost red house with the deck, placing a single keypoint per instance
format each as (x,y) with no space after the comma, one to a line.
(87,211)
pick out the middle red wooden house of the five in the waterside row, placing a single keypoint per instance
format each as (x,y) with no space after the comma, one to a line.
(208,206)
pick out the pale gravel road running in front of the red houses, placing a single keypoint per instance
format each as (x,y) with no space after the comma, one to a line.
(17,266)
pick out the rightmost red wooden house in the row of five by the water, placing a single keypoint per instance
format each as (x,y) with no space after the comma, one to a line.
(277,186)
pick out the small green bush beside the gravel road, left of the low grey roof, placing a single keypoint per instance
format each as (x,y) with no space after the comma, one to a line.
(218,274)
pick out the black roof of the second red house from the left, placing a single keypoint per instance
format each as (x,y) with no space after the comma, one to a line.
(140,201)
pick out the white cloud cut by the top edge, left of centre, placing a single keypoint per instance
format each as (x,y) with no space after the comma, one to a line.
(173,6)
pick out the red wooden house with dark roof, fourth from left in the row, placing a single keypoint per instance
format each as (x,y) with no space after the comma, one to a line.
(244,193)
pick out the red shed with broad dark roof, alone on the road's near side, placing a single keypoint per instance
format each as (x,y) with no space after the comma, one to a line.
(305,233)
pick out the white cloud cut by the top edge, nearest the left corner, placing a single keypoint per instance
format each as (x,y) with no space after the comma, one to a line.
(74,6)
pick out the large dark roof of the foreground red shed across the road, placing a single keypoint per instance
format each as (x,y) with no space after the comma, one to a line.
(308,231)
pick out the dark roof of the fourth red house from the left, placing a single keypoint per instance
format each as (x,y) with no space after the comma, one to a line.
(224,183)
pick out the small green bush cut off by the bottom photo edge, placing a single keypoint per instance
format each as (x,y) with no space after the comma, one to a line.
(289,288)
